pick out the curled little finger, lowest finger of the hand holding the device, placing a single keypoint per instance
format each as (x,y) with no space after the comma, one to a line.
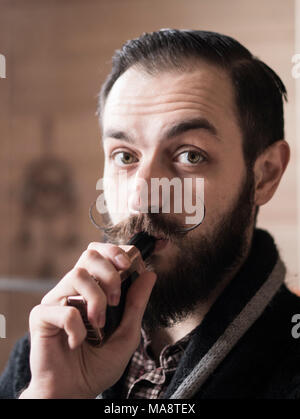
(48,320)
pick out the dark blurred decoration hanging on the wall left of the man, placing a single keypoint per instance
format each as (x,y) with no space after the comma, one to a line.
(47,196)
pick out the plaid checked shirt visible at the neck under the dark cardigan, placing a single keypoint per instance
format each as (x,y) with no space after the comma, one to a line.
(147,380)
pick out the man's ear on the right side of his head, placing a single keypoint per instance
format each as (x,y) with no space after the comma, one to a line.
(268,170)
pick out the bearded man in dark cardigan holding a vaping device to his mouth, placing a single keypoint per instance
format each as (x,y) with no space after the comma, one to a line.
(210,316)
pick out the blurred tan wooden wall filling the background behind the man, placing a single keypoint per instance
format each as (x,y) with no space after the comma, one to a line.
(58,53)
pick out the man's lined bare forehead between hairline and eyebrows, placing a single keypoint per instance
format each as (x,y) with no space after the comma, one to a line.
(138,100)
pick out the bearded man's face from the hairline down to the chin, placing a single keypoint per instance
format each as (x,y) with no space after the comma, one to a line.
(180,125)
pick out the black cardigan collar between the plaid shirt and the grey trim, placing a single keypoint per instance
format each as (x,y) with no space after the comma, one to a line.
(261,260)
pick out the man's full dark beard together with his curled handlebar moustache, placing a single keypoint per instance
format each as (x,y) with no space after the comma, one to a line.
(200,263)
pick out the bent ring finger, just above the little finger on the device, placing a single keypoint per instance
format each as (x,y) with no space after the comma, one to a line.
(79,282)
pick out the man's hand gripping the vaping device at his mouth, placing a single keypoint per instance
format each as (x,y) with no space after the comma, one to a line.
(63,364)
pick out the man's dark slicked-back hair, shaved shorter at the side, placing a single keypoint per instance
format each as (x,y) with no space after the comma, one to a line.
(259,92)
